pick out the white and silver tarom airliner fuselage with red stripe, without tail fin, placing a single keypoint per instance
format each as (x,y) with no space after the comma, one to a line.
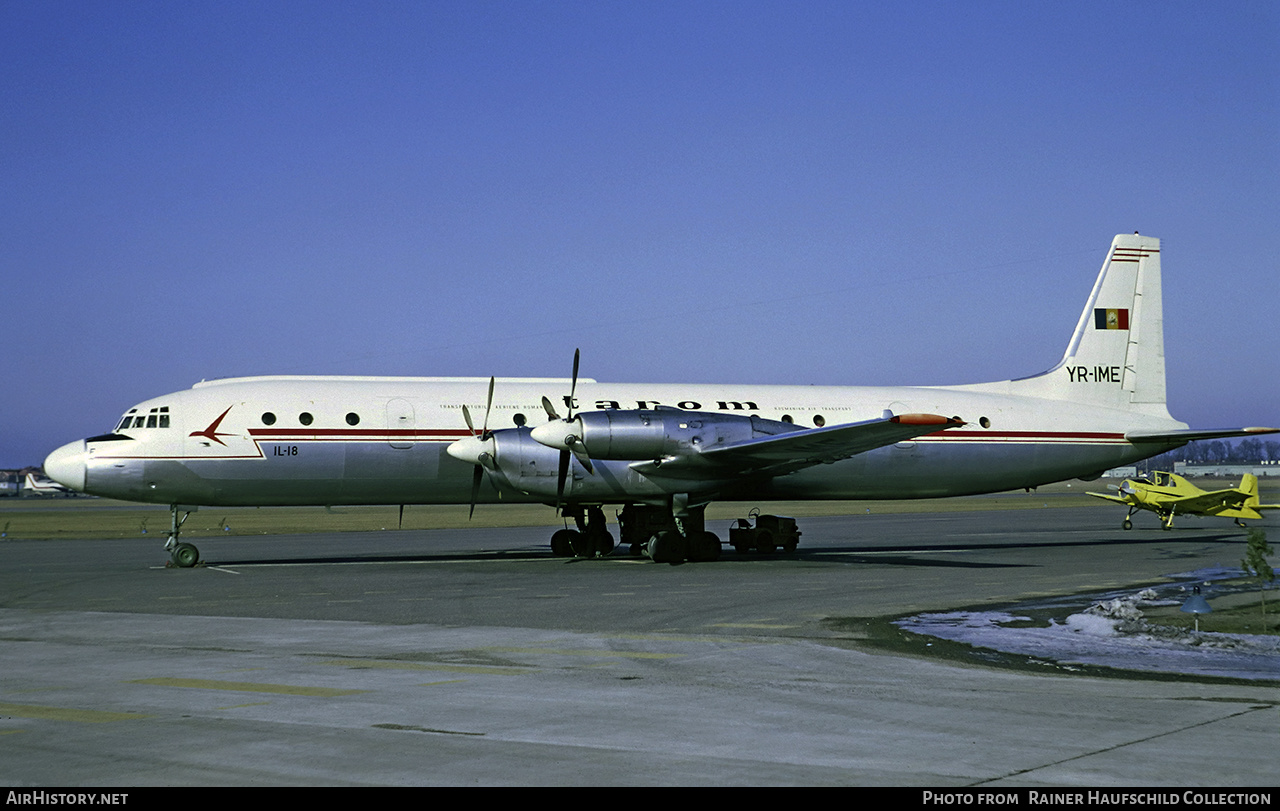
(382,441)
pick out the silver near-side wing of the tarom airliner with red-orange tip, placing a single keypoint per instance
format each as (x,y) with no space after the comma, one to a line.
(787,453)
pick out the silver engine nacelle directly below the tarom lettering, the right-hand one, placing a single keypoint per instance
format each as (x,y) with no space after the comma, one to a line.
(655,434)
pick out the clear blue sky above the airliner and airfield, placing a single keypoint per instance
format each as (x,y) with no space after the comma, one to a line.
(725,193)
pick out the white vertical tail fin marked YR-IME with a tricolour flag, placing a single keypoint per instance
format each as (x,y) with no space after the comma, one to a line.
(1117,356)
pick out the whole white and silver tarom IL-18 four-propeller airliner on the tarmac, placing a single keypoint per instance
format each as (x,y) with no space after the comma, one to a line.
(661,452)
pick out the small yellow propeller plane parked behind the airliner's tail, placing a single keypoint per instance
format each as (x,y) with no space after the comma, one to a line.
(1169,494)
